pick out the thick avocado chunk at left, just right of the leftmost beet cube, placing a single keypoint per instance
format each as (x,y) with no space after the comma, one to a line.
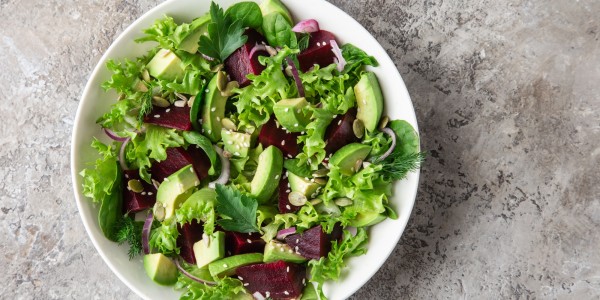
(176,188)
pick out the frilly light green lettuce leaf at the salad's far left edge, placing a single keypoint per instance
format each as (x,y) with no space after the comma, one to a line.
(99,179)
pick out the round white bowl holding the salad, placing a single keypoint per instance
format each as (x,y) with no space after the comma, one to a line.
(94,101)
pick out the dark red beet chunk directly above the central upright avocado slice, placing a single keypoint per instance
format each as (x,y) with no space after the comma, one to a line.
(273,134)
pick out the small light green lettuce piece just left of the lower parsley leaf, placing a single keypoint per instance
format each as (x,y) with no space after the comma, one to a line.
(199,206)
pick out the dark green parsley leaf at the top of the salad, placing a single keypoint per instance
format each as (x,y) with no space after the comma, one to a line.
(225,35)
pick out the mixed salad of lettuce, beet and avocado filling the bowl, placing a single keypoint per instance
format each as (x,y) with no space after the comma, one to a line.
(246,154)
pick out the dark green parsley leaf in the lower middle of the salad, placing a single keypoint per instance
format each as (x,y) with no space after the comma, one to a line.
(239,210)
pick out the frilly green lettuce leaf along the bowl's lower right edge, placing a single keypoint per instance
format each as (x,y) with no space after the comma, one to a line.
(330,267)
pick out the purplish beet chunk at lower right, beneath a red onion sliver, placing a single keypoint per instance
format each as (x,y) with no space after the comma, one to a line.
(313,243)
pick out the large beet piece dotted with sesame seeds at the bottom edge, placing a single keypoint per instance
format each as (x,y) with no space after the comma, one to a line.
(281,280)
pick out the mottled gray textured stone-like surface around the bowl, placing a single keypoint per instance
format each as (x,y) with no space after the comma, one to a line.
(507,95)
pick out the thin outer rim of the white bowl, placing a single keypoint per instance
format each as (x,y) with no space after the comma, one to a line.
(89,86)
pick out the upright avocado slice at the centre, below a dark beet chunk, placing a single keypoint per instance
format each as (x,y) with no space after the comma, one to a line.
(268,172)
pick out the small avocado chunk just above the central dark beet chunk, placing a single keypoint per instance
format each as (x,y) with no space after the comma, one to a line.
(291,115)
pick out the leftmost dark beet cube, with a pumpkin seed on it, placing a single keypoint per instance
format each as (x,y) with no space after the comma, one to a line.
(136,202)
